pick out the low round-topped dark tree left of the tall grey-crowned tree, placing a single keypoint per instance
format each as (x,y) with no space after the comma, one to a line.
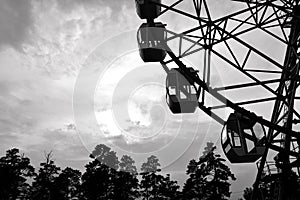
(67,184)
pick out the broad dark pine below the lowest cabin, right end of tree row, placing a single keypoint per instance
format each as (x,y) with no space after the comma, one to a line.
(208,178)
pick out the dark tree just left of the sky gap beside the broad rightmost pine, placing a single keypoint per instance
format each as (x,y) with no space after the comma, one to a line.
(155,186)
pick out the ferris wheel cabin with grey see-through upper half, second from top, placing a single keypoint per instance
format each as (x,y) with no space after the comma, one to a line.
(151,39)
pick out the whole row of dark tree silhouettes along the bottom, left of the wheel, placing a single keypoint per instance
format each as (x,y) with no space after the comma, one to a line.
(106,177)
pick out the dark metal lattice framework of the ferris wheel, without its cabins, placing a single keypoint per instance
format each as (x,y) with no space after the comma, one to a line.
(263,15)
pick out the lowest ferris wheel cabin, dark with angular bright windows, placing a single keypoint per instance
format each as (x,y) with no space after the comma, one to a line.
(242,139)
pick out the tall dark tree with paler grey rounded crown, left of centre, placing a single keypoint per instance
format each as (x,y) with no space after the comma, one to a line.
(101,174)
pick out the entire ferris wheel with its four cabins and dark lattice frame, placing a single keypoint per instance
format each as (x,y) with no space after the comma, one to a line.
(240,40)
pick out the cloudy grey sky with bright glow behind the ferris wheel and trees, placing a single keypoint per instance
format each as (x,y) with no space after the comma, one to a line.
(71,78)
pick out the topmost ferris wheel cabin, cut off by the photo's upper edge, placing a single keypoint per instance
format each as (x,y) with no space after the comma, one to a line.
(147,9)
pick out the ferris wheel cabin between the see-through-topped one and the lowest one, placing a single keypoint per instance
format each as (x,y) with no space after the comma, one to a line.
(181,96)
